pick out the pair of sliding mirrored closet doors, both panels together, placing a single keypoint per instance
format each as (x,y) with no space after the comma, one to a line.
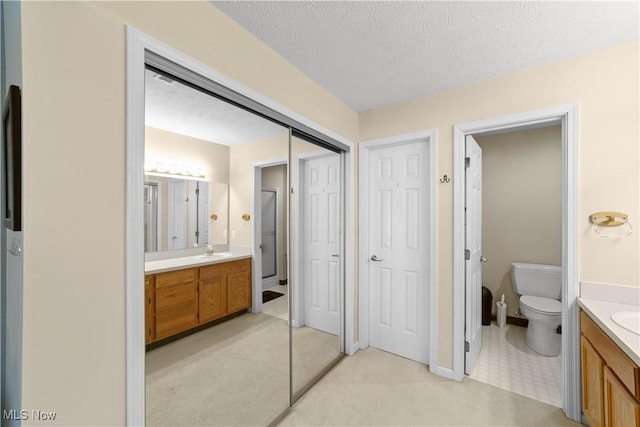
(243,269)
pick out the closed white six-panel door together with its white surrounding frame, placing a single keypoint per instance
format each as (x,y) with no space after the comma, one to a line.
(397,230)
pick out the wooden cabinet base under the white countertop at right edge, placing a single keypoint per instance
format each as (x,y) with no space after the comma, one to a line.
(610,379)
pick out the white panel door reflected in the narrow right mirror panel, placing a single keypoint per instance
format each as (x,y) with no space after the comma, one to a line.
(321,247)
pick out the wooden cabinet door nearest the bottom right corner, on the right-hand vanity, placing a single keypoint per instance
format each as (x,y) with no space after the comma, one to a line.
(621,409)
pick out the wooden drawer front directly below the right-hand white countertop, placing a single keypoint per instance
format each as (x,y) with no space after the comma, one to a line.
(614,357)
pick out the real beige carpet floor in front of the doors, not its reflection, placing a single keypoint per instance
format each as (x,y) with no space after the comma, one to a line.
(375,388)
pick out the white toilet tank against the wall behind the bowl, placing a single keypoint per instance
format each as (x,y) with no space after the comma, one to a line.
(538,280)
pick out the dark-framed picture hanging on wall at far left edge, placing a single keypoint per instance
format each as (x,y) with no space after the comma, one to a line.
(12,159)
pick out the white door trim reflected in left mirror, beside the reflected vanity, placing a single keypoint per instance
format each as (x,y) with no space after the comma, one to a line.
(256,214)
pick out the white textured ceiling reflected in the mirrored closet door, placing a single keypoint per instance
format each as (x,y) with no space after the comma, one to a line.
(177,108)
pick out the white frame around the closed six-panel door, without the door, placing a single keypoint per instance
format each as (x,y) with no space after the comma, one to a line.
(365,147)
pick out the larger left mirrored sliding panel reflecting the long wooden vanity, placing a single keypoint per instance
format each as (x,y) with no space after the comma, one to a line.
(217,353)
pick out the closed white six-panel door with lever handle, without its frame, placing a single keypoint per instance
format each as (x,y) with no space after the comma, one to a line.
(398,244)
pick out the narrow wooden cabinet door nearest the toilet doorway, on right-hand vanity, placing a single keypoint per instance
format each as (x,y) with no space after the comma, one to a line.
(592,383)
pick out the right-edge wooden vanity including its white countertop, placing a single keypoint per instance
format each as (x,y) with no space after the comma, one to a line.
(610,371)
